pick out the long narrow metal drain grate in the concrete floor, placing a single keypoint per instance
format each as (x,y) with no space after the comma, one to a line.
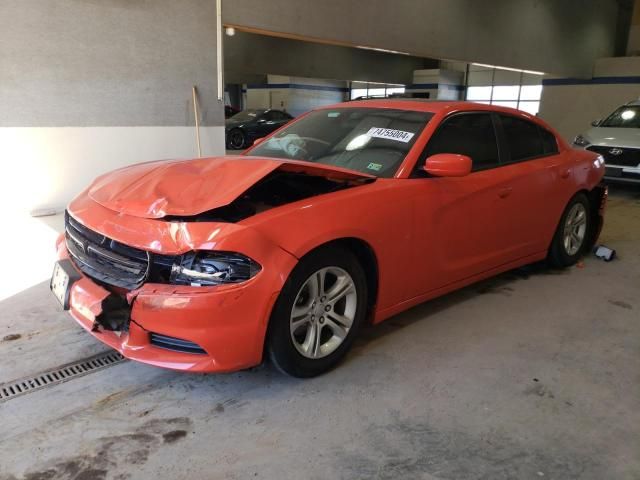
(61,374)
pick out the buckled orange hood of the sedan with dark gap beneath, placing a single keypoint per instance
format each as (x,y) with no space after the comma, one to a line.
(184,189)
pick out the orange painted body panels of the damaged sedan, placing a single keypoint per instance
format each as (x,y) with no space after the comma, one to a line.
(428,235)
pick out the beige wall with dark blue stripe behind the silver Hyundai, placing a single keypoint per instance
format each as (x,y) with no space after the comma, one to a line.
(570,104)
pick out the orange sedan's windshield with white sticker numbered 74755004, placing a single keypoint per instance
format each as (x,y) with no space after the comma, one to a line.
(369,140)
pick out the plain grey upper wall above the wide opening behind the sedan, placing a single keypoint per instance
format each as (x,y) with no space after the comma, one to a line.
(552,36)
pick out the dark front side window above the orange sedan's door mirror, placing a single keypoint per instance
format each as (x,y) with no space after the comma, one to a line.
(470,134)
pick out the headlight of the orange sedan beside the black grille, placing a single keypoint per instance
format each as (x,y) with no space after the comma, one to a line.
(213,268)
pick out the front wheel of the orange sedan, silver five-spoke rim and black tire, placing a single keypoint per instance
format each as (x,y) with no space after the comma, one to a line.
(318,313)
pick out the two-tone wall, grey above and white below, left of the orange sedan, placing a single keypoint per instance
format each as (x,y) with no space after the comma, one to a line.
(88,86)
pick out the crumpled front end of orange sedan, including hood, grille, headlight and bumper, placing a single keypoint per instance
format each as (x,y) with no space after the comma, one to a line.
(149,256)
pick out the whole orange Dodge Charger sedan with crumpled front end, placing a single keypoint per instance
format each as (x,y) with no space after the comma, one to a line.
(351,213)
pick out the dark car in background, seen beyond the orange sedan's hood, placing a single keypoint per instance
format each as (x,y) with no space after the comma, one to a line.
(245,127)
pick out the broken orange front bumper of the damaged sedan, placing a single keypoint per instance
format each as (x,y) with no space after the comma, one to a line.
(227,322)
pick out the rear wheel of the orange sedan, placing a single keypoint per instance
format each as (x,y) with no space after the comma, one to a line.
(572,234)
